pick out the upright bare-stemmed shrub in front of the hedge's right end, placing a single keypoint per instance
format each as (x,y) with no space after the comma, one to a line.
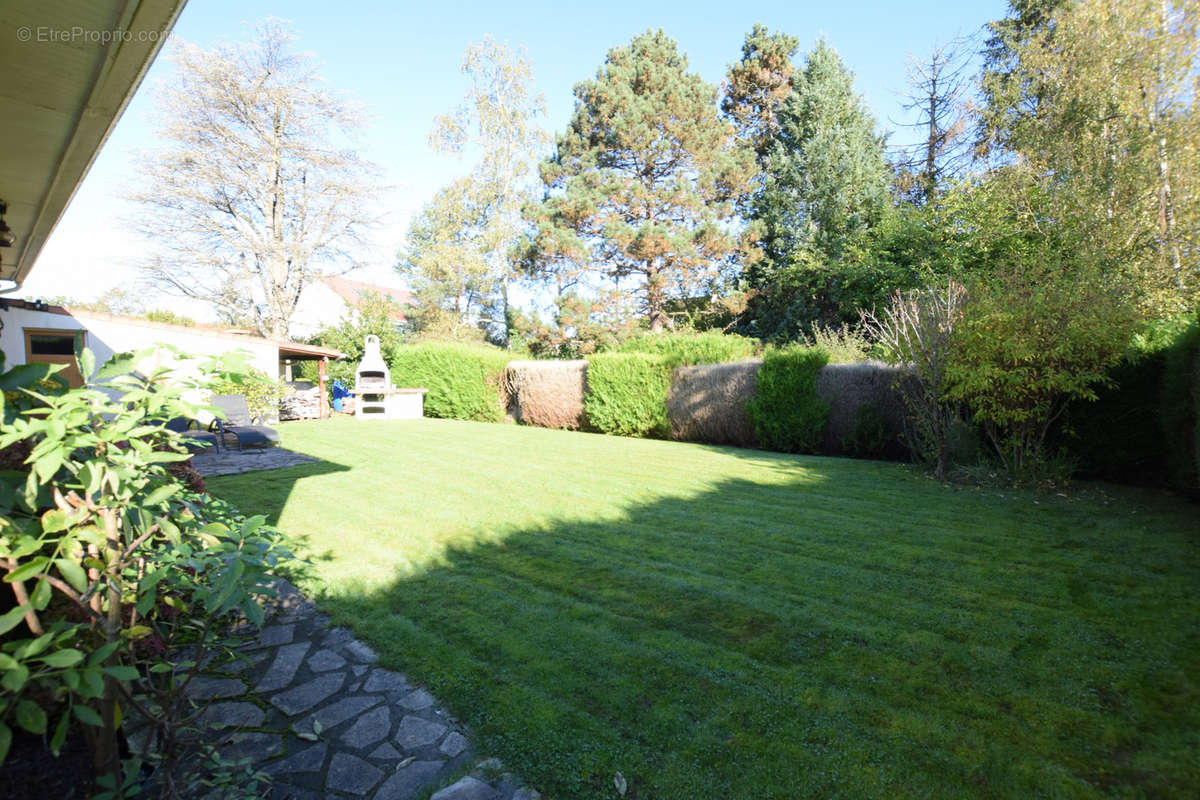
(917,329)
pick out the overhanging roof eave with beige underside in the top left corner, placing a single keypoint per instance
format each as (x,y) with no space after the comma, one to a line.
(69,70)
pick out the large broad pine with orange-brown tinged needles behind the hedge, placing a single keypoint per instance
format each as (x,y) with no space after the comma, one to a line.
(641,188)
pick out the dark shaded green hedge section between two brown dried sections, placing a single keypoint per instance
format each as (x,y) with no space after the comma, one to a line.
(787,413)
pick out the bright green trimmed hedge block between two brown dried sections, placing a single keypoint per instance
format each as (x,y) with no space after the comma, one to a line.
(627,395)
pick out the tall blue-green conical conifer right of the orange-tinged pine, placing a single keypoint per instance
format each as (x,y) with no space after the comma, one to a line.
(829,183)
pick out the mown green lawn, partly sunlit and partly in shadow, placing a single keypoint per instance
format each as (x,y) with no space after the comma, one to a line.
(721,623)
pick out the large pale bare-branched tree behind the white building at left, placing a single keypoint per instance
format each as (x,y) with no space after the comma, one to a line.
(253,199)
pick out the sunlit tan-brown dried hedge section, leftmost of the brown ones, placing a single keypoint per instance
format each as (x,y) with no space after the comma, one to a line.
(547,394)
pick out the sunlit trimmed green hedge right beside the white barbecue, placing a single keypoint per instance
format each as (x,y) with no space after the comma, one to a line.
(464,380)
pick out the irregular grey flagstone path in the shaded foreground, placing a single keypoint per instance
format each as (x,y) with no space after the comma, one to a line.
(308,703)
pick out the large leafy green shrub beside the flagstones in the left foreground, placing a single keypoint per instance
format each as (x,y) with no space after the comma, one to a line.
(113,564)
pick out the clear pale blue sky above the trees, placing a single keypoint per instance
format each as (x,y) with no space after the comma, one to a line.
(403,62)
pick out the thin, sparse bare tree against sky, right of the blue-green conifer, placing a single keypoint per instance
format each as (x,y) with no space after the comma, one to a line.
(939,93)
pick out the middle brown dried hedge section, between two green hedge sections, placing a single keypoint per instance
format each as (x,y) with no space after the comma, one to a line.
(709,404)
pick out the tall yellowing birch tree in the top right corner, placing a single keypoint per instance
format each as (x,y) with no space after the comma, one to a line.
(1115,134)
